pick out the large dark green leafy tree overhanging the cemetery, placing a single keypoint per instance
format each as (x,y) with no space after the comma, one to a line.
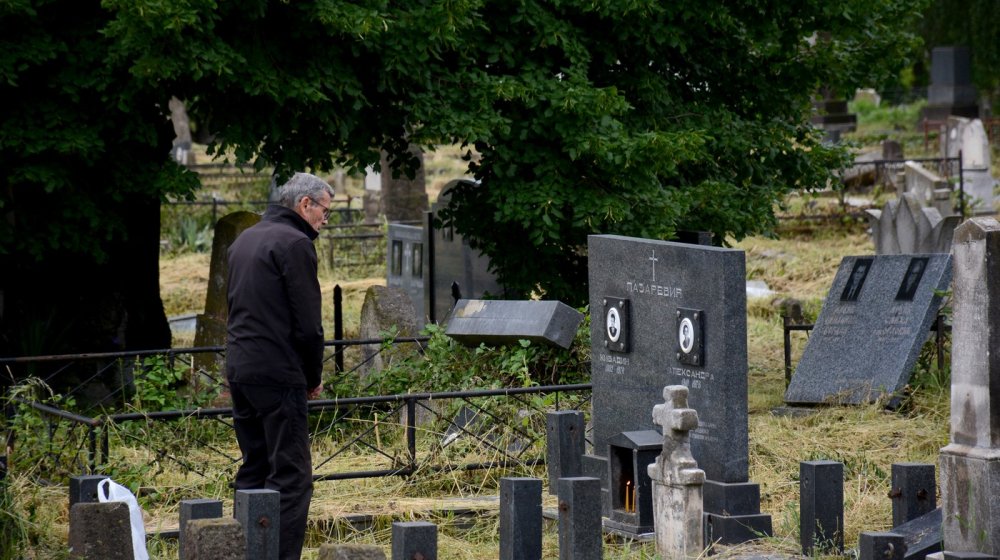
(632,117)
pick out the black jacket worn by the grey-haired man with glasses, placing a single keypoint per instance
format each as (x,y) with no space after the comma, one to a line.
(275,333)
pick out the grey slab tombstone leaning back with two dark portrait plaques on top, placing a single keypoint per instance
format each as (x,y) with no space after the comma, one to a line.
(873,324)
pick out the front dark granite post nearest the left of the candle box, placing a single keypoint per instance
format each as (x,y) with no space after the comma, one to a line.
(580,536)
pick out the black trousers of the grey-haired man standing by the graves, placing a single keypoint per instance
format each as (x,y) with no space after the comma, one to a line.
(273,434)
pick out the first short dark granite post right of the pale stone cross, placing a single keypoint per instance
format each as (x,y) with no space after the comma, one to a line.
(821,507)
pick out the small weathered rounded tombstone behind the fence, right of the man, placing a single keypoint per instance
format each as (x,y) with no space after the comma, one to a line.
(385,310)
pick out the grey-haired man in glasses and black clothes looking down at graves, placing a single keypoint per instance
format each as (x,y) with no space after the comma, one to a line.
(274,353)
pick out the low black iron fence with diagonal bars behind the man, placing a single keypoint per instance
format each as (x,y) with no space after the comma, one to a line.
(389,435)
